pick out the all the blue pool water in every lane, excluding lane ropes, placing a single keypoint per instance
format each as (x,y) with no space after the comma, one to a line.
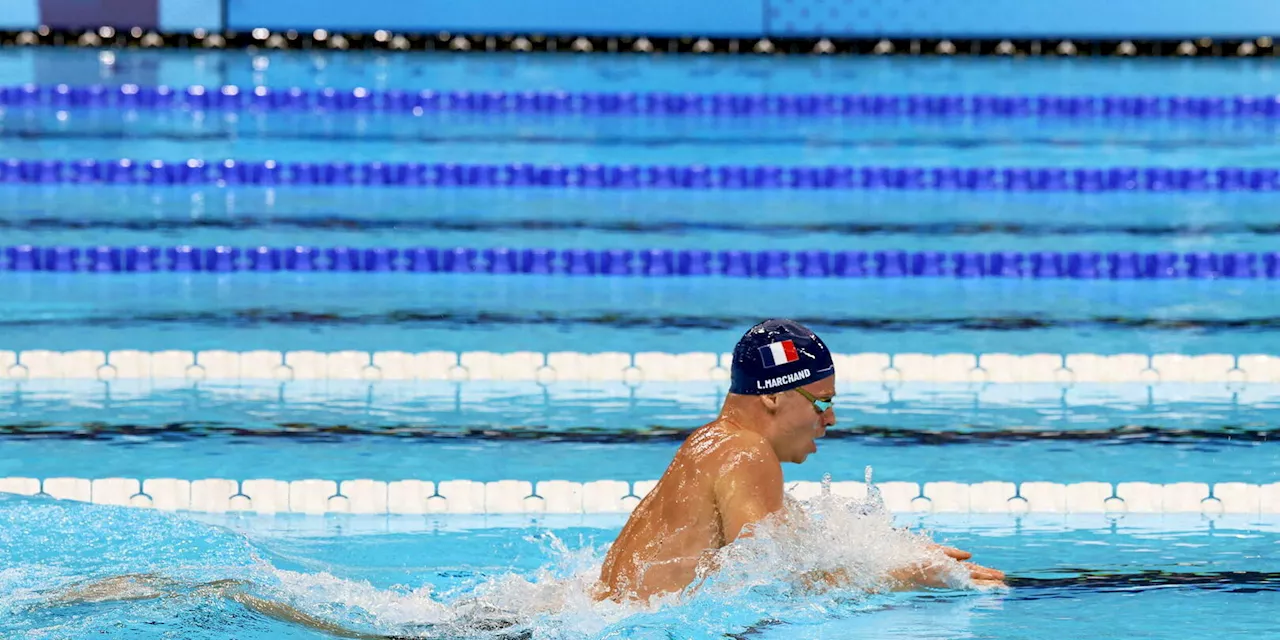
(1080,575)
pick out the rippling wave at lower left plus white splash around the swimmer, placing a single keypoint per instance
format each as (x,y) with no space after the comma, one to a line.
(184,566)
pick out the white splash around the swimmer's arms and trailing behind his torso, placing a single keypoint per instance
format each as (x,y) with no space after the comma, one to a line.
(828,554)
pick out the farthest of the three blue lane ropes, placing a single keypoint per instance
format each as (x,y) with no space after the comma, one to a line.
(657,104)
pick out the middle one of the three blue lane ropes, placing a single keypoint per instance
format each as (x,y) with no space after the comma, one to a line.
(232,173)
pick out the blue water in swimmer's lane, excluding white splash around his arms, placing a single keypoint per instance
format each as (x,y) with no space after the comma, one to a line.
(1080,578)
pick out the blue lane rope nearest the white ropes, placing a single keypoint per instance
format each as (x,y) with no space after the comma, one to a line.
(1087,266)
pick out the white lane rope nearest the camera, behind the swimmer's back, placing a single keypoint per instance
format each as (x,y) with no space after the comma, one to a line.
(423,497)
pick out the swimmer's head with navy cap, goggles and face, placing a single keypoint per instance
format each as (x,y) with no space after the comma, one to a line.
(790,373)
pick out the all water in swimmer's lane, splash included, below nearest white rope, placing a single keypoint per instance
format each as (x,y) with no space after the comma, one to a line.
(527,583)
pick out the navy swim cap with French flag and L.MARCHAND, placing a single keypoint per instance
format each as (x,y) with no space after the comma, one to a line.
(779,355)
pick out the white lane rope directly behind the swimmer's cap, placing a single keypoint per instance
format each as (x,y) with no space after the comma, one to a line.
(1235,372)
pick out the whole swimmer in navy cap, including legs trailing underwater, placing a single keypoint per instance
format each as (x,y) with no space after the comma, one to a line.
(725,479)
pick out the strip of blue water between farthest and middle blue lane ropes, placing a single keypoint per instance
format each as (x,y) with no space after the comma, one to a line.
(515,149)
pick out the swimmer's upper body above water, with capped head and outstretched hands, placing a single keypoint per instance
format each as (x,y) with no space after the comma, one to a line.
(728,476)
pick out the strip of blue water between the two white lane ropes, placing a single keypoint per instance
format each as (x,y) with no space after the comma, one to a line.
(446,432)
